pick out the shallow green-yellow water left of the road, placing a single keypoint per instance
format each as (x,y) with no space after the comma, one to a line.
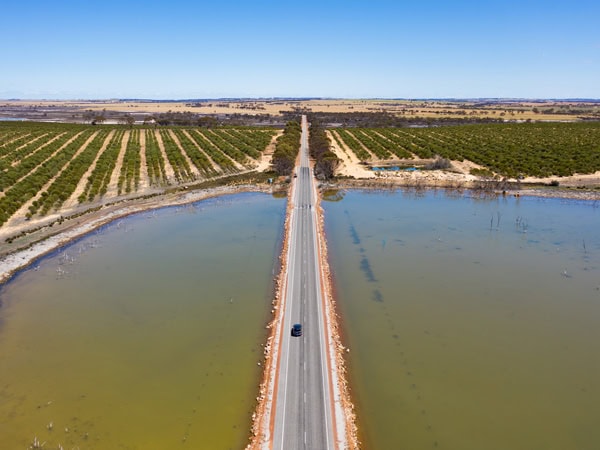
(144,335)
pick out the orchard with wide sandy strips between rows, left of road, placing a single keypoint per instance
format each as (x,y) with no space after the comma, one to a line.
(46,167)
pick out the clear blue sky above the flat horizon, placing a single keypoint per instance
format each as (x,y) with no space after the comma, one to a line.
(354,49)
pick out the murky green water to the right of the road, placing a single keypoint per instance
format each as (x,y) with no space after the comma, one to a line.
(472,324)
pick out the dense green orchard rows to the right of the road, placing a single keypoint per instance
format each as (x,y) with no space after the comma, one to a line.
(510,150)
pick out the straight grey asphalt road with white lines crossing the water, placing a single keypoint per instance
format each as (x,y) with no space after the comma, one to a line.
(303,412)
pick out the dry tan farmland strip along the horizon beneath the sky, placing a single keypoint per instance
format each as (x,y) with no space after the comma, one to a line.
(493,109)
